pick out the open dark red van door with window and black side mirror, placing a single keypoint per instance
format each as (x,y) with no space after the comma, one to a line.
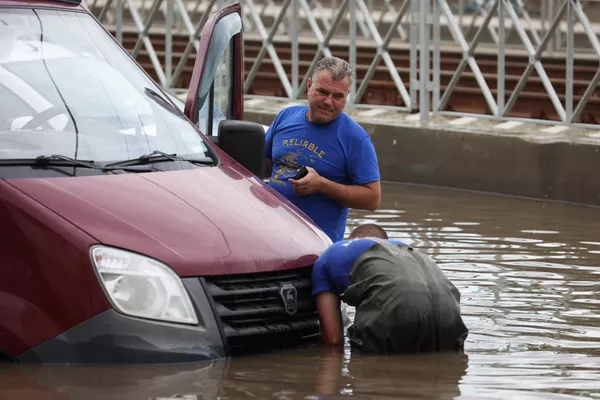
(215,100)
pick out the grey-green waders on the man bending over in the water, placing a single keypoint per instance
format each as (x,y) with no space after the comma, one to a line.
(404,303)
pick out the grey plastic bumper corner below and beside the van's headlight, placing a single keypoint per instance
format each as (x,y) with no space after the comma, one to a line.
(111,337)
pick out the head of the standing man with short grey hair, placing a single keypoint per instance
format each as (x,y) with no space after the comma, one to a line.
(328,88)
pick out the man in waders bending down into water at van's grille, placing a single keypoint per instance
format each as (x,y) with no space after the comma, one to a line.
(404,302)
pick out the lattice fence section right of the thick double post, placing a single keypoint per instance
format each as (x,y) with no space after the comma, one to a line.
(571,10)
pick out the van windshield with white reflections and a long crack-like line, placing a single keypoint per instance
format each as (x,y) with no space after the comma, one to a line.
(67,88)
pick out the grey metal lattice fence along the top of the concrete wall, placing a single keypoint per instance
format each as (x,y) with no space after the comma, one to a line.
(560,28)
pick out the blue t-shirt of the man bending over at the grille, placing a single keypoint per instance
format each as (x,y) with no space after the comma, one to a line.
(331,272)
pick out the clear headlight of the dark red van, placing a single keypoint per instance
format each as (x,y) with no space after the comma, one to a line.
(142,287)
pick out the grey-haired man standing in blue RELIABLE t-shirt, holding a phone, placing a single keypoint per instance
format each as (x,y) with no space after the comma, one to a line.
(343,171)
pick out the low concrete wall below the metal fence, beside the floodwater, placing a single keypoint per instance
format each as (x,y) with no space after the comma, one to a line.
(545,162)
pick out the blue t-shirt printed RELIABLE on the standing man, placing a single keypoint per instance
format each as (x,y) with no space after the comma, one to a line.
(341,151)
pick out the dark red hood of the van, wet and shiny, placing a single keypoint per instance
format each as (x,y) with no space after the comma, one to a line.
(204,221)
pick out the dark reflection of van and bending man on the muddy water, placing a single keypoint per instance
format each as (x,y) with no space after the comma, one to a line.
(307,373)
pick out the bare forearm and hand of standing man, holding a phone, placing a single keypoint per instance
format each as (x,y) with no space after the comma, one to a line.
(365,197)
